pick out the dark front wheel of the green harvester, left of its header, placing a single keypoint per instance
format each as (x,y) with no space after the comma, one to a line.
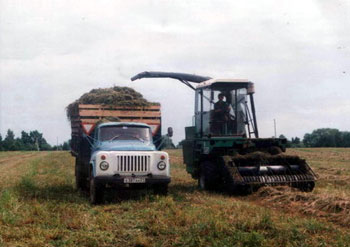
(209,176)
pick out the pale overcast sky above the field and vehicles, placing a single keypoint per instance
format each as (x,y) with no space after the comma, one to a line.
(296,52)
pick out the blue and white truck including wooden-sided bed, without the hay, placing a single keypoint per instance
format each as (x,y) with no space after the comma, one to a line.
(115,147)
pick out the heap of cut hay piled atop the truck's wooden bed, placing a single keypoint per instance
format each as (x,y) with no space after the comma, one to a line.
(113,96)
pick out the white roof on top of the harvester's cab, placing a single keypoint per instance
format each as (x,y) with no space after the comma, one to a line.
(229,84)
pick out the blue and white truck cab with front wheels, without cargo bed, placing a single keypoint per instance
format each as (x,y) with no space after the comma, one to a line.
(123,155)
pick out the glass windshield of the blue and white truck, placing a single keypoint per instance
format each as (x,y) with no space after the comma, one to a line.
(112,133)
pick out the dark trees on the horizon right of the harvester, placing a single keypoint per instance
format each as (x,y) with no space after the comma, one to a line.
(324,137)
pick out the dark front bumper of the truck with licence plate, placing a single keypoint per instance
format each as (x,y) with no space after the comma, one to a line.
(126,180)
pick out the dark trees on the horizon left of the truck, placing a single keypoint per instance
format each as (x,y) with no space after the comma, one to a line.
(33,140)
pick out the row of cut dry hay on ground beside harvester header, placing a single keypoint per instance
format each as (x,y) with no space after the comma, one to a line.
(335,208)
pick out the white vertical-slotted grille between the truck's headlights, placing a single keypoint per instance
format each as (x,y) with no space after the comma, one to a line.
(133,163)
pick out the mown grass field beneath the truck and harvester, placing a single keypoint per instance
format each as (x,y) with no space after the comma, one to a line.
(39,206)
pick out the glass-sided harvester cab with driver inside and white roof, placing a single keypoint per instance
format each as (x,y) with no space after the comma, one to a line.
(222,109)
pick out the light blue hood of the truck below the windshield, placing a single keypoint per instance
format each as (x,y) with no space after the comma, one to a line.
(124,145)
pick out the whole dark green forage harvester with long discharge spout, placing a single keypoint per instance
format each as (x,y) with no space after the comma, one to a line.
(223,149)
